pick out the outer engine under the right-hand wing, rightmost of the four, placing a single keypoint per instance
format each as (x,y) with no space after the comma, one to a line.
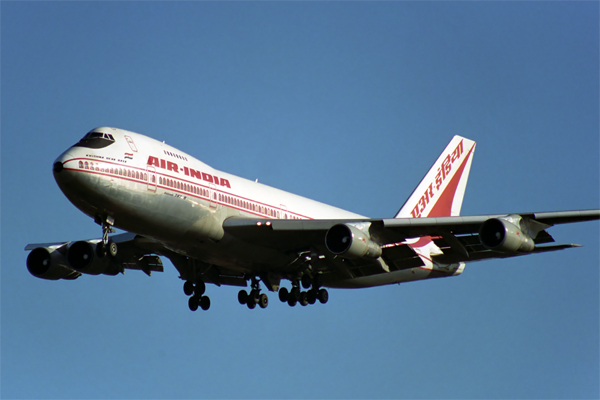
(505,235)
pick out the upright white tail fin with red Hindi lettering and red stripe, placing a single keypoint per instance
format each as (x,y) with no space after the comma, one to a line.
(441,192)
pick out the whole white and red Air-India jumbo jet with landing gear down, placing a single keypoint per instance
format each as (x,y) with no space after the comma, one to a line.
(226,230)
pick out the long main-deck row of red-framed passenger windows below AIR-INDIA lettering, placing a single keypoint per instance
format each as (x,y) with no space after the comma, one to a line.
(175,184)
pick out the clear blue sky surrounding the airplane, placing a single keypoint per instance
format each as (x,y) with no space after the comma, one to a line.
(346,103)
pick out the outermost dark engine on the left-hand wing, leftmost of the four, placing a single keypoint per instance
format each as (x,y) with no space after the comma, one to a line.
(48,263)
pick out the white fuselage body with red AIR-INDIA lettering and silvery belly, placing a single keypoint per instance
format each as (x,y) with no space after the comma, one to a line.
(152,189)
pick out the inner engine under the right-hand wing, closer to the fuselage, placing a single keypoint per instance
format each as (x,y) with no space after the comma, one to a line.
(349,241)
